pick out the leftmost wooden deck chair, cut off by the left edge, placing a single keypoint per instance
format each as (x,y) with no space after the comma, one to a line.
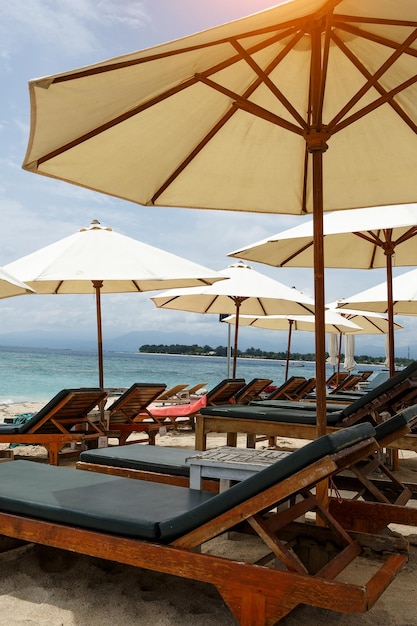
(63,420)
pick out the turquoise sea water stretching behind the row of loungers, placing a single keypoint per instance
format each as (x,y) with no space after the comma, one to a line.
(38,374)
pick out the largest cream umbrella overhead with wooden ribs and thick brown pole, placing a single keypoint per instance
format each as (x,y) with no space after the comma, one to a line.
(310,105)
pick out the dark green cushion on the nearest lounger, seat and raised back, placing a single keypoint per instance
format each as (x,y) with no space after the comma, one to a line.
(142,509)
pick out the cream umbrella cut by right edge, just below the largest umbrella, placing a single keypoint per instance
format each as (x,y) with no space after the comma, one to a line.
(359,239)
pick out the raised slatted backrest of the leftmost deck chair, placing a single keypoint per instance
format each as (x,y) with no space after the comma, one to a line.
(70,406)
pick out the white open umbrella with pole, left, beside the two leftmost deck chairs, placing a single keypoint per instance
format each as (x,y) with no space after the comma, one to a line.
(97,260)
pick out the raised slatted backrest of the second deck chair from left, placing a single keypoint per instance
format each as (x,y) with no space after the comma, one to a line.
(134,400)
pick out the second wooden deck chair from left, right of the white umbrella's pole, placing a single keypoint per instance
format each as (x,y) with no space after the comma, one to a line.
(130,412)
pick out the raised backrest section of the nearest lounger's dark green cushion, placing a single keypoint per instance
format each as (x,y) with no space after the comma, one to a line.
(279,471)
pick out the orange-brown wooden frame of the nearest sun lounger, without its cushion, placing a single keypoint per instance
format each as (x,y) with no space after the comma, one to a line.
(255,593)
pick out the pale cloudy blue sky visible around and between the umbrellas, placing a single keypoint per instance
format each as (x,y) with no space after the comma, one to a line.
(42,37)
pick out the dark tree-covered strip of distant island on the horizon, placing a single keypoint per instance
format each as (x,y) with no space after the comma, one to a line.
(253,353)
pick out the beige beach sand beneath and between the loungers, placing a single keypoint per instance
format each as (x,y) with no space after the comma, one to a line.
(46,587)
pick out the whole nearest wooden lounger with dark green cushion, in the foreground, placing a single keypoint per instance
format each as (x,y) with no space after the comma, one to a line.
(159,527)
